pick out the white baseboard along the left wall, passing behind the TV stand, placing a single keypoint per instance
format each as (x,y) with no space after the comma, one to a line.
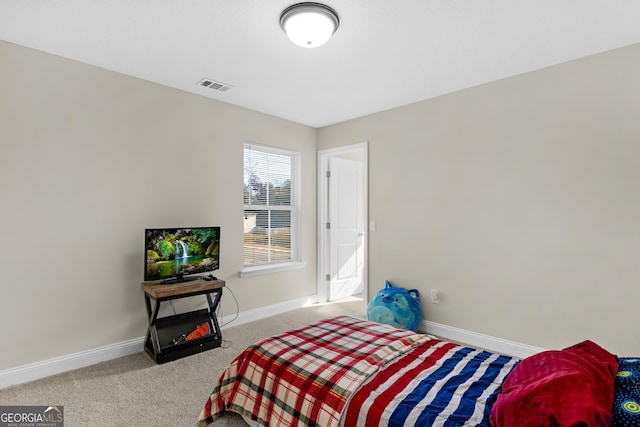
(46,368)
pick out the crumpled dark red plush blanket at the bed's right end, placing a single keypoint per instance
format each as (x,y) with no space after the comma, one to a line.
(568,388)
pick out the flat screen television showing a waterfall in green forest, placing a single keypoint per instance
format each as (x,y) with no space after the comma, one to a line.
(176,255)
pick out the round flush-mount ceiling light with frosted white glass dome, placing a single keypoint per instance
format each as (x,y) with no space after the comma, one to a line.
(309,24)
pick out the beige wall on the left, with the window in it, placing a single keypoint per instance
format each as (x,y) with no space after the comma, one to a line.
(88,159)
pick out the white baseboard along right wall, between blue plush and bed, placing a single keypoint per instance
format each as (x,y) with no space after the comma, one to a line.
(480,340)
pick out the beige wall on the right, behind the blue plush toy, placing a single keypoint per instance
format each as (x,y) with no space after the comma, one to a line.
(517,200)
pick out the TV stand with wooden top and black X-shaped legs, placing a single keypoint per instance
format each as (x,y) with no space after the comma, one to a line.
(162,331)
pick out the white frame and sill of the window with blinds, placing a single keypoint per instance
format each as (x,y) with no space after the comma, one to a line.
(294,207)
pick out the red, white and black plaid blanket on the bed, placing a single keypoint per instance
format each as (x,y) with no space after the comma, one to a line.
(305,377)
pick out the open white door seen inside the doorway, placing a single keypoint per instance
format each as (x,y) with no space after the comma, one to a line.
(346,228)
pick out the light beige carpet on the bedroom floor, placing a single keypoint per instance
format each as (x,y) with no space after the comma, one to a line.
(135,391)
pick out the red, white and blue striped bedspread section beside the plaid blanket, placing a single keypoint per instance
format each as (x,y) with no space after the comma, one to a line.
(437,384)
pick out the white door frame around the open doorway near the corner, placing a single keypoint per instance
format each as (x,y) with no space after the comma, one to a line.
(323,215)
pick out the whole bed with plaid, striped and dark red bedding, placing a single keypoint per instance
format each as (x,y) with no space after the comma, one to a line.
(347,371)
